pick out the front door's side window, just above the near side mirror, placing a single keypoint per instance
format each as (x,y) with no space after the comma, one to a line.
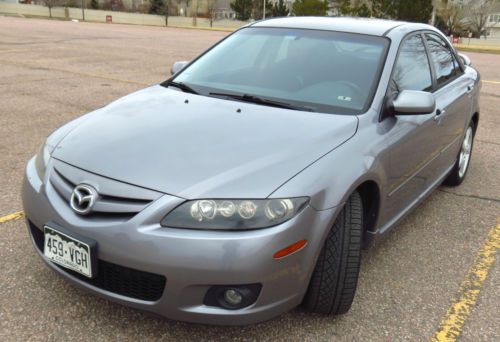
(412,70)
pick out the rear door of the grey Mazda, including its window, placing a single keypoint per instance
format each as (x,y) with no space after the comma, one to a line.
(453,101)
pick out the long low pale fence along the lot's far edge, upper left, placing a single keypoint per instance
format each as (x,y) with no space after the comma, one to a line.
(117,17)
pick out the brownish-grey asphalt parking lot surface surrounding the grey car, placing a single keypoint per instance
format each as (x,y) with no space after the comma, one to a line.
(414,284)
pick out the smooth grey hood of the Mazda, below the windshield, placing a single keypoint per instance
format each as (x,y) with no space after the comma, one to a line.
(194,146)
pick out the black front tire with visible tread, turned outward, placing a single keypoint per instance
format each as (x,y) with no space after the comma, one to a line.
(335,276)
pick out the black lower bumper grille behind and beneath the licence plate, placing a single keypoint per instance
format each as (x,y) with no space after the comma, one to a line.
(115,278)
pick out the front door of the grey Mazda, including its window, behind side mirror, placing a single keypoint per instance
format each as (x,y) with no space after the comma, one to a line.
(411,138)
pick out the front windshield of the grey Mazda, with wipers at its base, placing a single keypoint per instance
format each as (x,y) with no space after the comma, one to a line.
(321,71)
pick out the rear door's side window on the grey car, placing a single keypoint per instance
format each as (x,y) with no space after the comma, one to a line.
(445,64)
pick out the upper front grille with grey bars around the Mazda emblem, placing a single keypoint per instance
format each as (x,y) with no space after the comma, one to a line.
(114,201)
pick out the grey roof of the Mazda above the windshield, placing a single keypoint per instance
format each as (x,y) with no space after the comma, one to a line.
(371,26)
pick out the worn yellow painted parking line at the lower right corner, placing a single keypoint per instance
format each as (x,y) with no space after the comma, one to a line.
(466,297)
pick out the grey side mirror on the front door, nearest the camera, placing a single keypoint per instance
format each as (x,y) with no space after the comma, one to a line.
(412,102)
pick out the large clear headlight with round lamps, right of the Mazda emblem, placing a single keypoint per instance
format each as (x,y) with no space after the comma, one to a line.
(233,214)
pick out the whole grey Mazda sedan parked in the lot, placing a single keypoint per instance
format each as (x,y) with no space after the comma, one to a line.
(248,183)
